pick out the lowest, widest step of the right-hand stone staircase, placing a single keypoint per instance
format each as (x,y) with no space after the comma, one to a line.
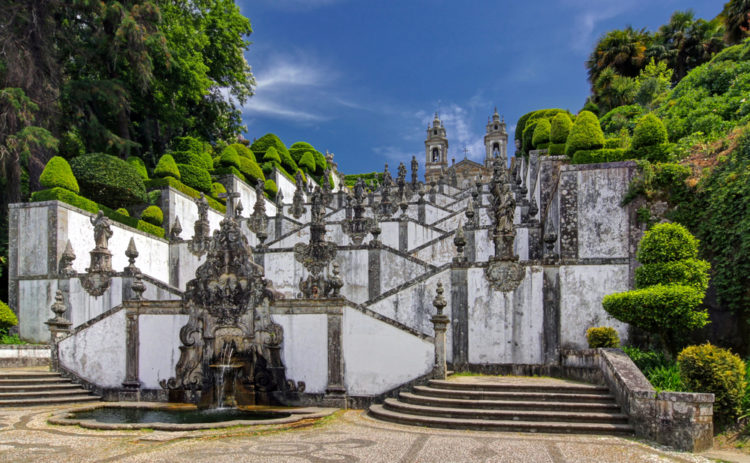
(379,411)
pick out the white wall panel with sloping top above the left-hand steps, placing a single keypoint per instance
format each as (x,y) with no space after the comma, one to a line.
(97,353)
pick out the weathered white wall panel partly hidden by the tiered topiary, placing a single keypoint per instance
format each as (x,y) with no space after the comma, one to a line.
(582,288)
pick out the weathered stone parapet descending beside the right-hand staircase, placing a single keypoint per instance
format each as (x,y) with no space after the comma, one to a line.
(683,420)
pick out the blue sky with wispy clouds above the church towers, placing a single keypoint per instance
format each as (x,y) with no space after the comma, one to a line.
(362,79)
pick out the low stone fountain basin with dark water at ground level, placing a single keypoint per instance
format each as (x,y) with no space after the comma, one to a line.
(180,417)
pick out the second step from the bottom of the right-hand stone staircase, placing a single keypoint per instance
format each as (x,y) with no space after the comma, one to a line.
(505,415)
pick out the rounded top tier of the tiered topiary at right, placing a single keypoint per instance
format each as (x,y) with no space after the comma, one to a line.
(667,242)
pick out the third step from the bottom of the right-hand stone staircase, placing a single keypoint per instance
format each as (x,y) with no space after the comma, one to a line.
(416,399)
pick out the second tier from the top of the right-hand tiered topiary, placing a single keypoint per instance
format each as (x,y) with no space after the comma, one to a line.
(689,272)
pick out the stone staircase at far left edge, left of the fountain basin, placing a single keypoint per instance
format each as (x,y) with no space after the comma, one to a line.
(28,387)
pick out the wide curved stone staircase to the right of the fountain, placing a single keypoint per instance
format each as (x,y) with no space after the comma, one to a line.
(511,404)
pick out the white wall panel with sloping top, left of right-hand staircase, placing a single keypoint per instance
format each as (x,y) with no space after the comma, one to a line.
(379,357)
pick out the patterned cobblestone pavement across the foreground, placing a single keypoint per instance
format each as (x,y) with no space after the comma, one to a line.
(349,436)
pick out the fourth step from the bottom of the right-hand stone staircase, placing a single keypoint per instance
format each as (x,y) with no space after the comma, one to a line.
(595,397)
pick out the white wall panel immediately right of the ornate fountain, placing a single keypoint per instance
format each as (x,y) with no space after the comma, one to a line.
(305,349)
